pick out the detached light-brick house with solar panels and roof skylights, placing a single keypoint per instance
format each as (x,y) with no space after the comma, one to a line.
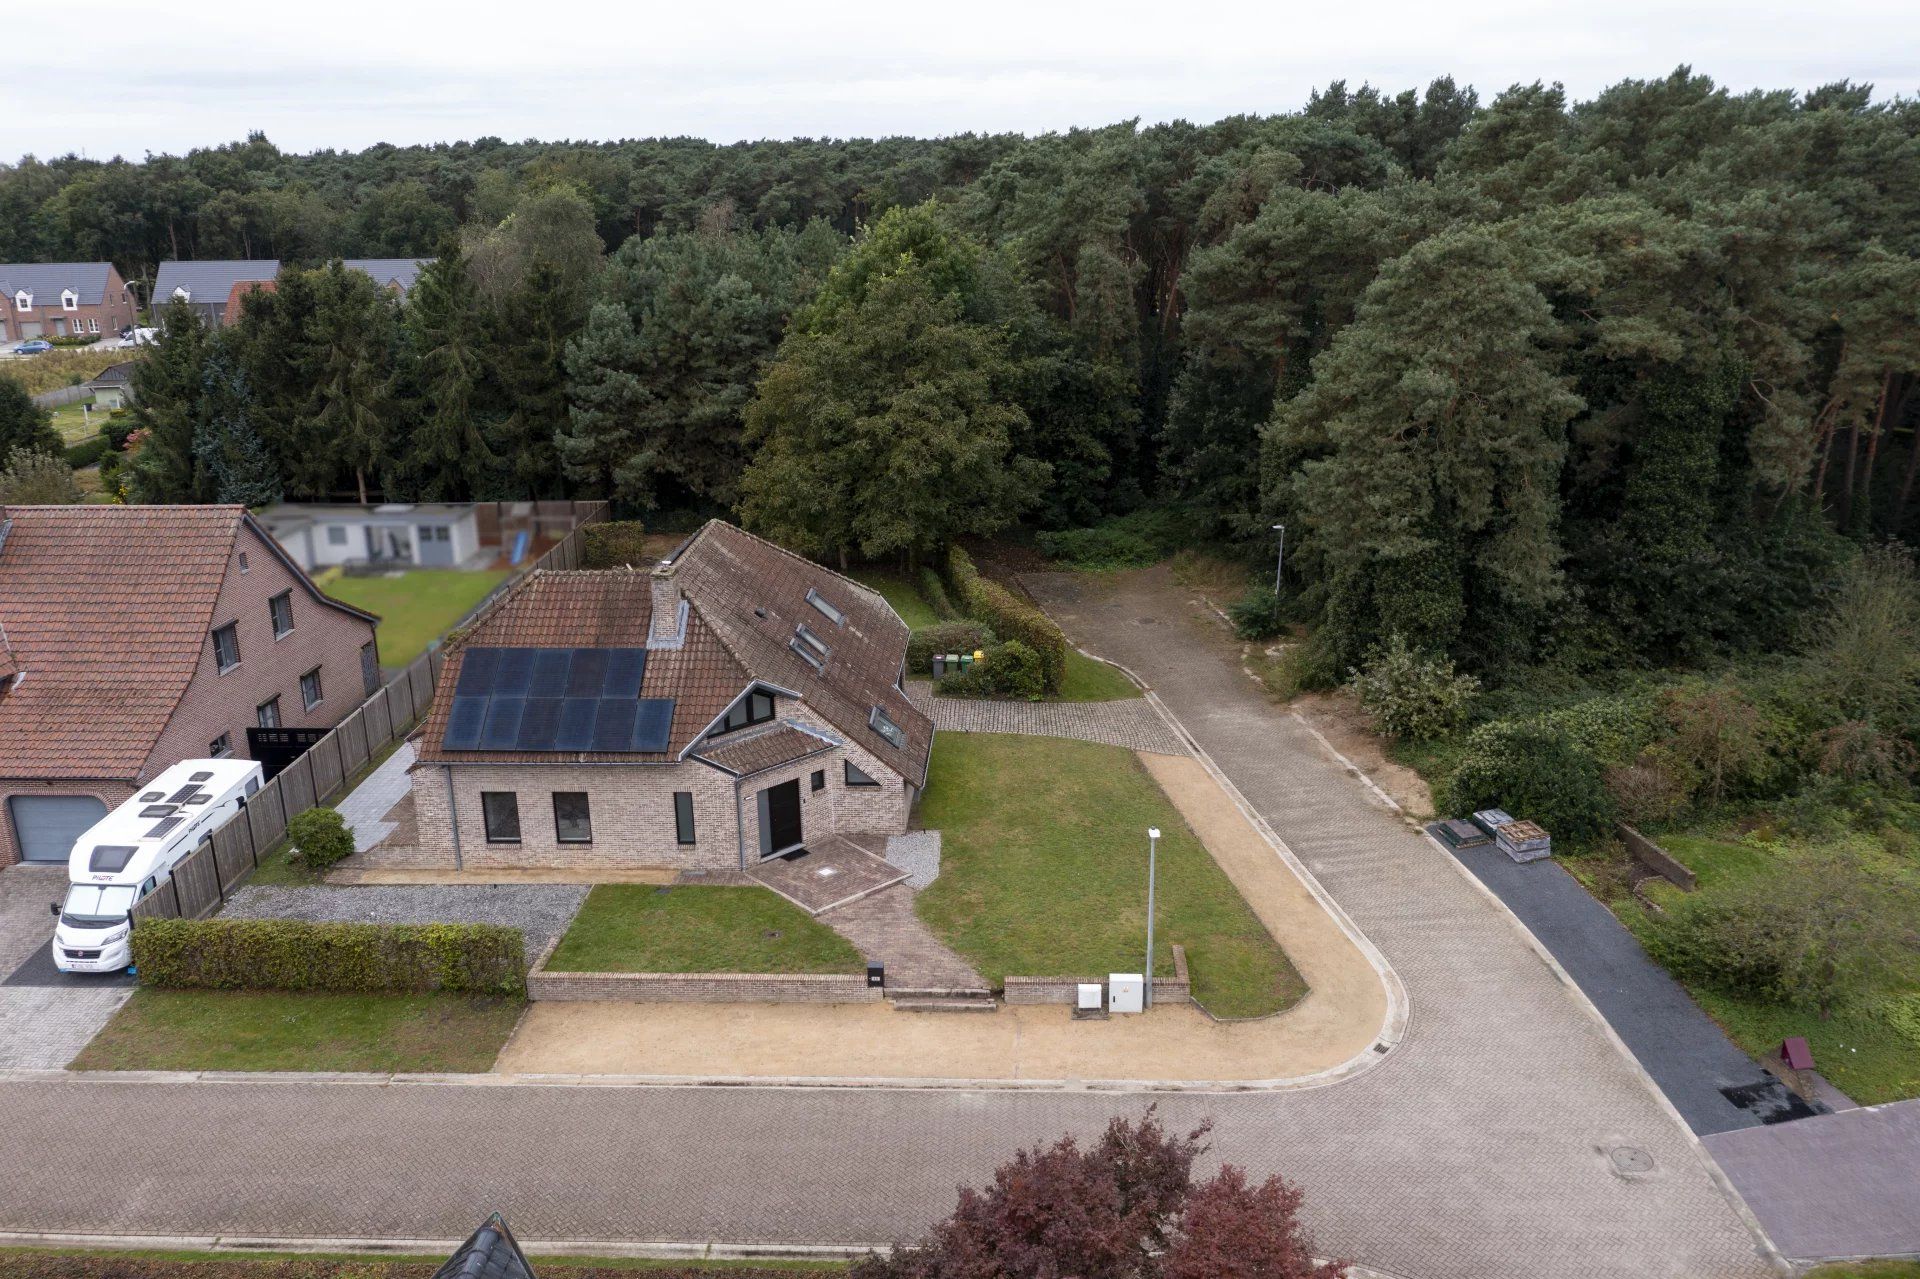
(723,708)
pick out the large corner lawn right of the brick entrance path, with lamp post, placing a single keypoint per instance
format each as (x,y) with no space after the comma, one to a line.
(1044,873)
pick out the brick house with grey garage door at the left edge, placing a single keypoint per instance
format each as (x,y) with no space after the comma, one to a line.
(133,639)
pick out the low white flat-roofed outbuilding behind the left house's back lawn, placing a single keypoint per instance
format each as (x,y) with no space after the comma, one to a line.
(429,535)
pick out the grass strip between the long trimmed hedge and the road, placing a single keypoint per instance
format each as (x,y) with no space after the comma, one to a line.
(285,1030)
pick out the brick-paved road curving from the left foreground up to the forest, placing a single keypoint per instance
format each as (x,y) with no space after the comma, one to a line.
(1479,1149)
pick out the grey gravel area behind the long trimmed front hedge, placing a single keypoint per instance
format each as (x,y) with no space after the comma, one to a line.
(540,911)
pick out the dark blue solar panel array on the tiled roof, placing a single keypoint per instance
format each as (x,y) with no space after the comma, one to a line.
(556,700)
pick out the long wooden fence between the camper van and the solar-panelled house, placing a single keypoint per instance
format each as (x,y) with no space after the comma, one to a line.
(208,875)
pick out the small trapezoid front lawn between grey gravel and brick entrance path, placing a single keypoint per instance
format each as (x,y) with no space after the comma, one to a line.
(644,929)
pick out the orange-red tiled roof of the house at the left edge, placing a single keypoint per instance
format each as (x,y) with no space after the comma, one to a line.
(107,614)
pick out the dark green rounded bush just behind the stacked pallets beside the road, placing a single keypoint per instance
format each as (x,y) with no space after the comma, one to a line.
(1533,773)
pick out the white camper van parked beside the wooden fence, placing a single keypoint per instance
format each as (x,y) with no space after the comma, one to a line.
(133,850)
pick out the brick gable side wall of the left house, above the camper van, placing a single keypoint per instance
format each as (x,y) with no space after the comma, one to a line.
(228,704)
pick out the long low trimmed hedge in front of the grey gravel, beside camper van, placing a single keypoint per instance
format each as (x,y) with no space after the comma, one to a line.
(295,955)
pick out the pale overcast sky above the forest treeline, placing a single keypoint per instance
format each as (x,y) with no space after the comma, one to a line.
(166,78)
